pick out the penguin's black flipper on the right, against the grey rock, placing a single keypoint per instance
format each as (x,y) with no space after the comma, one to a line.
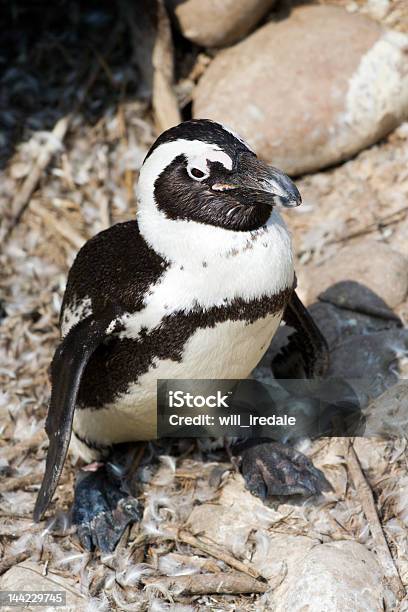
(307,354)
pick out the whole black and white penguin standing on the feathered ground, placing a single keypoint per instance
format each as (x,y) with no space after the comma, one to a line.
(194,288)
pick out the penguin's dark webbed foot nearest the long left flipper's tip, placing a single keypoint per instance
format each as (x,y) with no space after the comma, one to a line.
(103,509)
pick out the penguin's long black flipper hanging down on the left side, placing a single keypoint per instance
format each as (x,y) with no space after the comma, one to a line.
(67,367)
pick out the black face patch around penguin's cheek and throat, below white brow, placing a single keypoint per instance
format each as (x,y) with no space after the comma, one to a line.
(181,197)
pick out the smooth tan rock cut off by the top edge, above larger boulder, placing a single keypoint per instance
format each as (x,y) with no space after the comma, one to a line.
(211,23)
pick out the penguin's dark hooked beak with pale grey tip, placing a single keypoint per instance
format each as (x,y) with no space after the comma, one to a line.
(255,182)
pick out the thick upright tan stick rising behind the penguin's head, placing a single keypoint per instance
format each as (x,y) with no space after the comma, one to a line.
(164,100)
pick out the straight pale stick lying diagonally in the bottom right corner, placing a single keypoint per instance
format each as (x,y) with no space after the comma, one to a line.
(381,546)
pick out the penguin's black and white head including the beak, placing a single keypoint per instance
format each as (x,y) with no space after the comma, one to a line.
(201,171)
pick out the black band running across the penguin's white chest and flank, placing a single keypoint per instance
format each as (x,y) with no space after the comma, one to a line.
(121,362)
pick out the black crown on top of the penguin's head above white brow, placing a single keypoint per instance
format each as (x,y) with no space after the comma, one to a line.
(205,131)
